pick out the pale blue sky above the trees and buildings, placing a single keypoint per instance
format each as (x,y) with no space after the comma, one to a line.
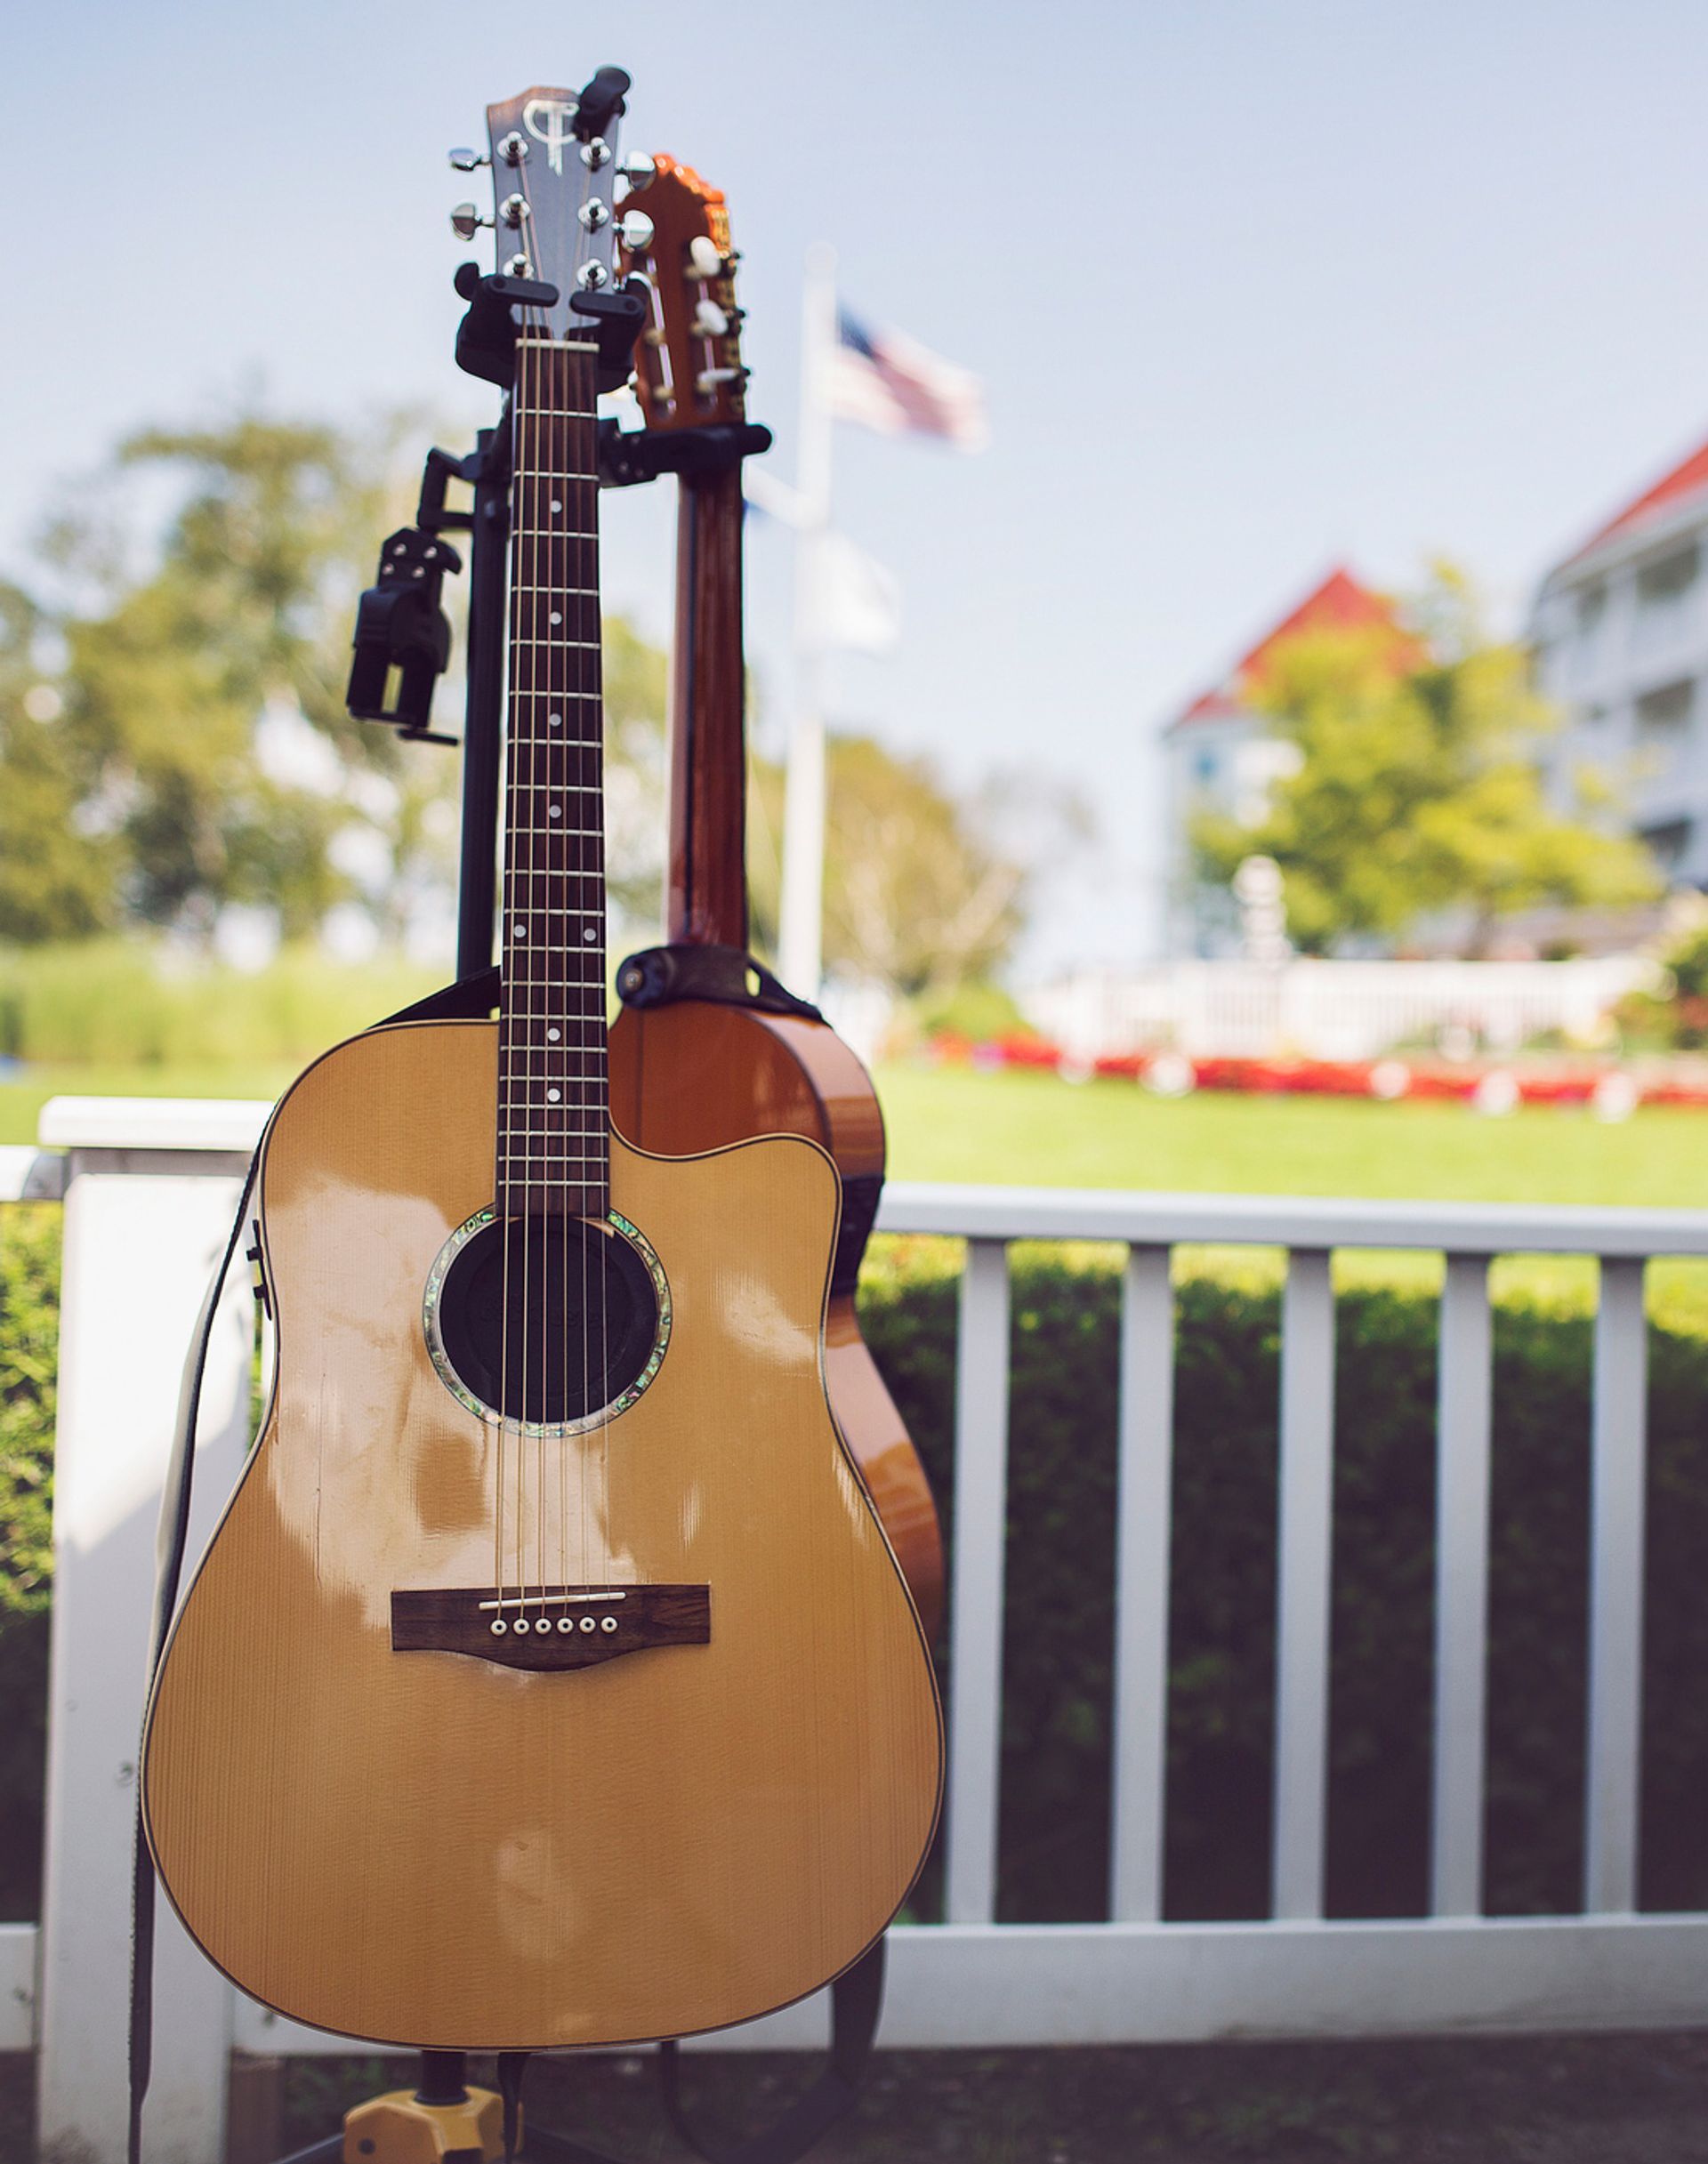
(1254,285)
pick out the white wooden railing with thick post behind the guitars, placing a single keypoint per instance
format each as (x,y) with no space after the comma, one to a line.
(148,1191)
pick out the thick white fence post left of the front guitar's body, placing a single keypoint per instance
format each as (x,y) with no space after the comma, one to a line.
(144,1230)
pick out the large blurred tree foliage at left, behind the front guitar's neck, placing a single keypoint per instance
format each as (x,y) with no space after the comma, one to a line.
(194,750)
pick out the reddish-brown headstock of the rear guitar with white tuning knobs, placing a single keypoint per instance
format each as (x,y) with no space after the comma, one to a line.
(687,360)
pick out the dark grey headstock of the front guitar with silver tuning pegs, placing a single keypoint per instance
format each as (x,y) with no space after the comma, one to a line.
(555,174)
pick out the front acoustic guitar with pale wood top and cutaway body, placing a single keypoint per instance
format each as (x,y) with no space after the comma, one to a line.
(551,1678)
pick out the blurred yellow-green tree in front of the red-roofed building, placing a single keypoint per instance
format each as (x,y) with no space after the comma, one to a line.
(1419,789)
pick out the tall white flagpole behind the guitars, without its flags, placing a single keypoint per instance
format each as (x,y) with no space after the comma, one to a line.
(802,908)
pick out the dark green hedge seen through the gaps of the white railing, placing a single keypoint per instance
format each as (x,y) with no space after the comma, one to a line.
(1062,1568)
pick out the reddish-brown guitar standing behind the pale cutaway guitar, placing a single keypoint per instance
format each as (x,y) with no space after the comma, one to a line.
(694,1072)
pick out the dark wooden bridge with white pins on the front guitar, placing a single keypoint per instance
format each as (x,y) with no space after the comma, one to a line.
(551,1628)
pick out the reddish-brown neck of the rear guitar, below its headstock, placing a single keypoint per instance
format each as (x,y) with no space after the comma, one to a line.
(707,880)
